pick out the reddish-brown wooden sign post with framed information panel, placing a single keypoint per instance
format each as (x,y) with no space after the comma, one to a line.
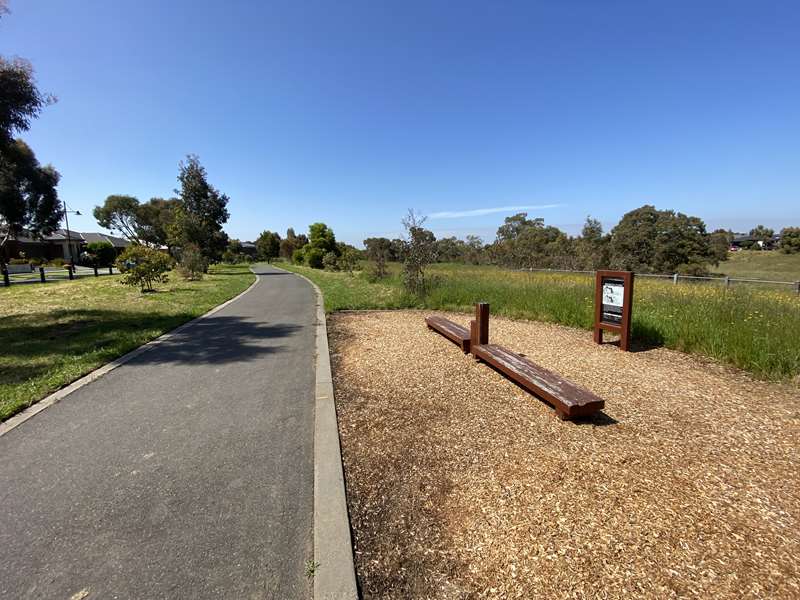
(613,299)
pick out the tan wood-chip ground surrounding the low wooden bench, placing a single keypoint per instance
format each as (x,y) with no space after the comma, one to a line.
(462,485)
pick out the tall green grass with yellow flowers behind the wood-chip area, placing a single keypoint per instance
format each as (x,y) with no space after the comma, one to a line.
(754,329)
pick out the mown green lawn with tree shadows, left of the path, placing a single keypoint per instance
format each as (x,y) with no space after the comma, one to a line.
(54,333)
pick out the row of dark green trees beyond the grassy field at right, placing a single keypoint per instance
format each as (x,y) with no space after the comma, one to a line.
(646,240)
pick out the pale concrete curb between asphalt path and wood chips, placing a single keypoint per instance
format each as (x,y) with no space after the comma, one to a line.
(335,577)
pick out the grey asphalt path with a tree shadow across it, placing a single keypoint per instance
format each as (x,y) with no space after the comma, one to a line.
(185,473)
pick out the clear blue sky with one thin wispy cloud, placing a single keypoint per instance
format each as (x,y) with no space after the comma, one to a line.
(352,112)
